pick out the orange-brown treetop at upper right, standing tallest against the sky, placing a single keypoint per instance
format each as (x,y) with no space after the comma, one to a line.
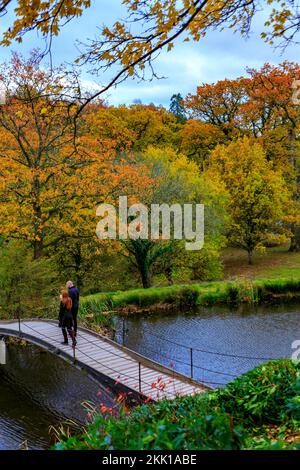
(251,105)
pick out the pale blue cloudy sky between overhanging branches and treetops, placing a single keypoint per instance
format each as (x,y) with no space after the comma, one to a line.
(215,57)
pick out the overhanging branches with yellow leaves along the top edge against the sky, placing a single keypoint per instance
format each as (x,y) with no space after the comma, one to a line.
(166,18)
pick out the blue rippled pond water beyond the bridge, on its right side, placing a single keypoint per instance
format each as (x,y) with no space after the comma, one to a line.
(221,335)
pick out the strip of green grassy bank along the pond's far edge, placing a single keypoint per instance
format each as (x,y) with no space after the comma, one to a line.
(182,296)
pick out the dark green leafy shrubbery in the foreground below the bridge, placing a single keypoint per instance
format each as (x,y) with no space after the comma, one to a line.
(260,410)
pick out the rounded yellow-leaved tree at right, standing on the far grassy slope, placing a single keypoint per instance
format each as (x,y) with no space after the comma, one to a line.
(258,201)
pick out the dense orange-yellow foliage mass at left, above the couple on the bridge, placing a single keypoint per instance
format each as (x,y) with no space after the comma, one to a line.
(64,185)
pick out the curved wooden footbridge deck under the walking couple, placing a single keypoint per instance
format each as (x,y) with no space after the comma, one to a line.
(105,360)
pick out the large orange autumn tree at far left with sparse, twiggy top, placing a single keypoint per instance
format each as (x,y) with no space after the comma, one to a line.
(52,179)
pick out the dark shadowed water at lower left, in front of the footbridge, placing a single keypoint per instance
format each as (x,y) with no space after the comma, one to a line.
(38,390)
